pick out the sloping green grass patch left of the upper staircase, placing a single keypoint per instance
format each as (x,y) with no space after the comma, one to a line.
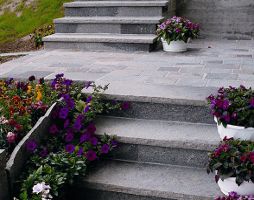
(42,12)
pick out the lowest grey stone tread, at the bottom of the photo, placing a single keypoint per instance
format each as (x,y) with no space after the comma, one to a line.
(172,182)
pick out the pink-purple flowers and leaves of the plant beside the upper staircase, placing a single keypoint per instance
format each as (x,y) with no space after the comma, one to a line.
(177,28)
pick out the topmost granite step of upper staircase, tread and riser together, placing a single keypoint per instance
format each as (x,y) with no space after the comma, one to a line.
(116,8)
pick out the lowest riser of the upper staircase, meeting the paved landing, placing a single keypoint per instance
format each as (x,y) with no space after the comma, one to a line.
(98,46)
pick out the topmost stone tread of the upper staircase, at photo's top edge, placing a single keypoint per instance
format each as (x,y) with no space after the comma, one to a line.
(116,3)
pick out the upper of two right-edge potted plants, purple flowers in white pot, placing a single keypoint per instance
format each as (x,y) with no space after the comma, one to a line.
(233,111)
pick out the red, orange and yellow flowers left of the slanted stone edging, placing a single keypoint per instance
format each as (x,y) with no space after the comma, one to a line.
(22,103)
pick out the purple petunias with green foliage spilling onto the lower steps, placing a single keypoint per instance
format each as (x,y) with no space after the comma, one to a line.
(71,143)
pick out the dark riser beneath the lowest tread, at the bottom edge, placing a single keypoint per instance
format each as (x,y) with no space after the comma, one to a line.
(91,194)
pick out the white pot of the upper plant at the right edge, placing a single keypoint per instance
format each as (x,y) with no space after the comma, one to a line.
(236,132)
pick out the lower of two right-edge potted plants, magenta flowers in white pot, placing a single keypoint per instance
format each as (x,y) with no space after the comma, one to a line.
(233,163)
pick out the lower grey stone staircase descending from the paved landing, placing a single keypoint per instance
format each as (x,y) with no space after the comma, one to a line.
(162,154)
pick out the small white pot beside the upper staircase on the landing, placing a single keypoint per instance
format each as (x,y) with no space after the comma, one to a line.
(174,46)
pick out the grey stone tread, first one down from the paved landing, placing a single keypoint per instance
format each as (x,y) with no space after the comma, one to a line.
(160,133)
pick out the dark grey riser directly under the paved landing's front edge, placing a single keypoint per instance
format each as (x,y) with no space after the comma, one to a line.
(170,112)
